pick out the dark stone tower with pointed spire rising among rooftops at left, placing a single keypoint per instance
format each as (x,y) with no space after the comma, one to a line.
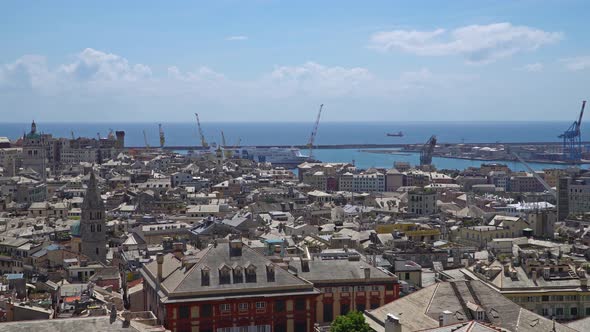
(92,224)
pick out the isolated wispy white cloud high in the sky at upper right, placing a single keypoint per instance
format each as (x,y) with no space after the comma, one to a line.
(477,43)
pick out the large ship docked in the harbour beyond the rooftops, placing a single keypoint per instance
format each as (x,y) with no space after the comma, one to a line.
(277,156)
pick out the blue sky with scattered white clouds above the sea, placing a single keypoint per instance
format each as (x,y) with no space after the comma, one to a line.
(277,61)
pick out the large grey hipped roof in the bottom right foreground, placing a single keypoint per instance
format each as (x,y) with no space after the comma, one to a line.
(445,306)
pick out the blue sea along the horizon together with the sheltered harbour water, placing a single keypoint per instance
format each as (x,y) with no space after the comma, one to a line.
(298,133)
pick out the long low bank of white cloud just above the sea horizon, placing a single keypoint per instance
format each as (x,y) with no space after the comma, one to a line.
(115,87)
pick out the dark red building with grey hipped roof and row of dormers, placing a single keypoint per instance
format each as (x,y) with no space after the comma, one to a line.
(225,287)
